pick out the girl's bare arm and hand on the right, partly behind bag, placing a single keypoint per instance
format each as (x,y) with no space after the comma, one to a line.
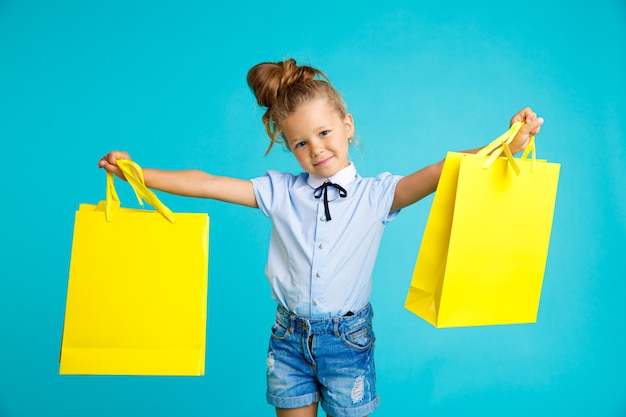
(418,185)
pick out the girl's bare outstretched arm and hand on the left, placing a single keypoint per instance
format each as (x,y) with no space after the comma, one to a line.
(190,183)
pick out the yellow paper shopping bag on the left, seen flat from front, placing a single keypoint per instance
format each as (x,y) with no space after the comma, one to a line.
(137,291)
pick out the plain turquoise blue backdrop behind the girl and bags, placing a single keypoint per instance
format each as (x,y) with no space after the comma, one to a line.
(166,82)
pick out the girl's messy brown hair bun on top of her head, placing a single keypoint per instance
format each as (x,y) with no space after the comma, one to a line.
(268,80)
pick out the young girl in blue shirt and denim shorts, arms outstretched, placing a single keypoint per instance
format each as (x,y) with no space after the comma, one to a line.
(327,223)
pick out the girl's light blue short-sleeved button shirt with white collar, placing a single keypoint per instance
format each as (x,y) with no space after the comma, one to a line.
(319,268)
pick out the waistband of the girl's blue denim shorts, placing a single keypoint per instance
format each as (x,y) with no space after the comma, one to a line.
(334,325)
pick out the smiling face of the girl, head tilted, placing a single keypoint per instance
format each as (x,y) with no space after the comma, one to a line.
(319,138)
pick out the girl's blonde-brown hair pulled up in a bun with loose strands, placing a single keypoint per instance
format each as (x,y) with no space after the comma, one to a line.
(282,87)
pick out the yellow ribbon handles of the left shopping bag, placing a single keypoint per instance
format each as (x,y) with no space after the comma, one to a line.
(134,175)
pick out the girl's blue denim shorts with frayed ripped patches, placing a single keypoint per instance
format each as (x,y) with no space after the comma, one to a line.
(325,360)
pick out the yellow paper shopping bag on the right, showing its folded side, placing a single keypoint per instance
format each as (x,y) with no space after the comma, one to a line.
(484,248)
